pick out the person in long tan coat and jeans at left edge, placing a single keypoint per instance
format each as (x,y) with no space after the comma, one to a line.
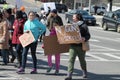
(4,38)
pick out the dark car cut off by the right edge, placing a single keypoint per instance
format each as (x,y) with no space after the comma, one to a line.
(111,20)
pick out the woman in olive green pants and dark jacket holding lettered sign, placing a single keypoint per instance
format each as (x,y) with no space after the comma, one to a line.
(76,49)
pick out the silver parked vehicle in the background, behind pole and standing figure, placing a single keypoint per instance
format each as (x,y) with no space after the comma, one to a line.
(100,10)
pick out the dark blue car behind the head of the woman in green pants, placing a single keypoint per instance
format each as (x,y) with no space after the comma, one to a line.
(90,20)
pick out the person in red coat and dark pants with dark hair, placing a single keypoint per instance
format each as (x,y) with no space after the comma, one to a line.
(18,31)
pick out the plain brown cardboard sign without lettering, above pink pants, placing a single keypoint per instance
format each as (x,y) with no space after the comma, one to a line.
(51,46)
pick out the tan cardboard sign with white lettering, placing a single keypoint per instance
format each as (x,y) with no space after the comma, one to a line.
(68,34)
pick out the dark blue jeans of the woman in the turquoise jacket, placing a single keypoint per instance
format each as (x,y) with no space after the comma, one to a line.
(33,47)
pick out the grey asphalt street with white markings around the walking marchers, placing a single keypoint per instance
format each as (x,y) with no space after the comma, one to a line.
(103,59)
